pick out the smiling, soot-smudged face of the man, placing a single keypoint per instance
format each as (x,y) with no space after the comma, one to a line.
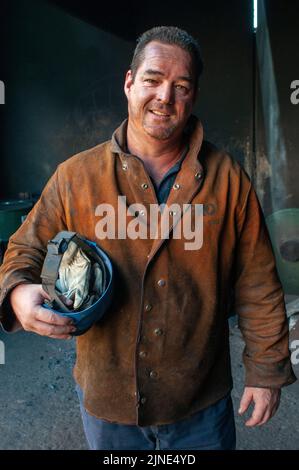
(161,97)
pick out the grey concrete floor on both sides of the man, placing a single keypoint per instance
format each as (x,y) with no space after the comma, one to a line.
(39,408)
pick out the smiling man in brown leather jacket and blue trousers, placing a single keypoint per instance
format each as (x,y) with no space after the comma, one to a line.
(155,373)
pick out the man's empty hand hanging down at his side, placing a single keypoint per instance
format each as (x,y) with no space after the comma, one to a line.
(266,402)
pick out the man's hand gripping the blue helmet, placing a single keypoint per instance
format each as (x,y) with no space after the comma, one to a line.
(26,301)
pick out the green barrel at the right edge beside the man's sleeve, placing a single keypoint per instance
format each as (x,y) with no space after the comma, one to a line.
(283,226)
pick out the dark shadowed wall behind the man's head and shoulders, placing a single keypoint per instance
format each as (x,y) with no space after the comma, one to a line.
(63,64)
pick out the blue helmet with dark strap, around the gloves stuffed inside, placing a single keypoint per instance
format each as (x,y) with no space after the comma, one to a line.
(93,310)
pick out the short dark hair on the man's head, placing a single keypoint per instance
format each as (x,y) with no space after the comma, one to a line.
(168,35)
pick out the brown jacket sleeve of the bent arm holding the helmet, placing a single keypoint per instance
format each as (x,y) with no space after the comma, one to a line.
(27,247)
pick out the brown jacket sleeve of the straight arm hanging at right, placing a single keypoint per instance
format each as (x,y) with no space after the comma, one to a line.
(259,302)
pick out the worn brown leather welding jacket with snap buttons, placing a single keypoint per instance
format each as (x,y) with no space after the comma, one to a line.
(162,351)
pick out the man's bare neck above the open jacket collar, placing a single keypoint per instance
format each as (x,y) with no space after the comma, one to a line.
(158,155)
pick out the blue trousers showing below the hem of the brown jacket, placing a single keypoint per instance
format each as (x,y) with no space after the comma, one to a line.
(212,428)
